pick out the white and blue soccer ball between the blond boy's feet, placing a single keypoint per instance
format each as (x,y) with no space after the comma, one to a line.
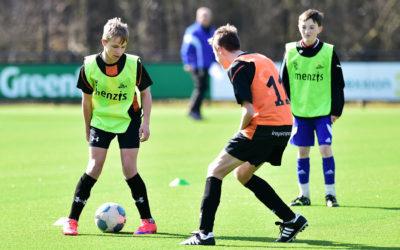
(110,217)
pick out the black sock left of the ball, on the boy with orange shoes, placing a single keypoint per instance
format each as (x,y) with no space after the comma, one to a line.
(82,193)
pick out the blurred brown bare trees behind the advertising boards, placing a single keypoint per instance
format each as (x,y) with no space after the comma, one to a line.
(65,31)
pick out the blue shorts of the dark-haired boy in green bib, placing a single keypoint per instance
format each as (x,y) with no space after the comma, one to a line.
(303,131)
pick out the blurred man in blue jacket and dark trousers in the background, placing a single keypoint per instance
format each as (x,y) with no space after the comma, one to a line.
(197,56)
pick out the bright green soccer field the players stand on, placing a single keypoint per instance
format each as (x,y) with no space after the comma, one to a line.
(43,153)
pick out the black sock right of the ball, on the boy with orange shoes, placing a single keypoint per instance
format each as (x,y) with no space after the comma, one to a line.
(139,195)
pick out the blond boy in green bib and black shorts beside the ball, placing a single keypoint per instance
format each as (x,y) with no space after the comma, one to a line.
(110,82)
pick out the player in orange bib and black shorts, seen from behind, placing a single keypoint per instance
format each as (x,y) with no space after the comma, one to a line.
(262,137)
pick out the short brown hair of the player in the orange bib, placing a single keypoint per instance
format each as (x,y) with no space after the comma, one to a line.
(226,37)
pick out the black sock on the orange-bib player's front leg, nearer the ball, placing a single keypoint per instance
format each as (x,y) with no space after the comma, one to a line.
(209,204)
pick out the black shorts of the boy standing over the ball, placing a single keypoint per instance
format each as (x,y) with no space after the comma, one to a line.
(129,139)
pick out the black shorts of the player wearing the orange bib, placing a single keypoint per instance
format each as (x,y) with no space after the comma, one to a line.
(267,145)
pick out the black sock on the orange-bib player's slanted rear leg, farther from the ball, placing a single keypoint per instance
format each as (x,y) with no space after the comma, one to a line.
(266,194)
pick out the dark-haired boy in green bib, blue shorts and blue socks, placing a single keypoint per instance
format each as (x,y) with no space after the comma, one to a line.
(313,79)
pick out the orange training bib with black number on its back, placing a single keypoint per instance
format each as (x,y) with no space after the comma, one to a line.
(269,99)
